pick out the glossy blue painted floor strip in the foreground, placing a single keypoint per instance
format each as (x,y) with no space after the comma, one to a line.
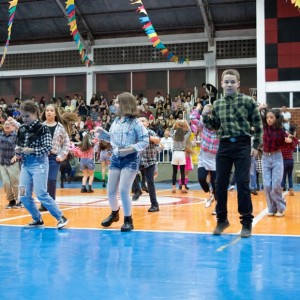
(104,264)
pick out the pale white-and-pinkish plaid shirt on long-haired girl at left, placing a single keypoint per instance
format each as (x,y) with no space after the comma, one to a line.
(60,142)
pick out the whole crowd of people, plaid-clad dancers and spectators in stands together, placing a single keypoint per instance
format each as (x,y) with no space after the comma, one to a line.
(129,135)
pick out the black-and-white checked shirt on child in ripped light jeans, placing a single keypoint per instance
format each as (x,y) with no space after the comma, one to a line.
(42,145)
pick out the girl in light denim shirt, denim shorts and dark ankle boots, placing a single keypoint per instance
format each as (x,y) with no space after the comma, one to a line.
(128,137)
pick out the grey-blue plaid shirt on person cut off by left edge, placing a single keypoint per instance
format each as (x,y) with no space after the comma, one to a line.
(7,147)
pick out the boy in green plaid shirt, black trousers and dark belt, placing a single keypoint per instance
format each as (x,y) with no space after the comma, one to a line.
(233,116)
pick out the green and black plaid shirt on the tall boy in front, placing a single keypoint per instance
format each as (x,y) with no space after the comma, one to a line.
(233,116)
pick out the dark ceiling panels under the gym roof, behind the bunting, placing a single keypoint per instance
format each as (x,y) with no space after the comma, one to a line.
(41,21)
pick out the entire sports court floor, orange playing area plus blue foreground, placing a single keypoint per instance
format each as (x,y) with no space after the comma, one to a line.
(171,254)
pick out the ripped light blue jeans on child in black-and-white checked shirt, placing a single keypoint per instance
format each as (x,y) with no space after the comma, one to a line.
(34,177)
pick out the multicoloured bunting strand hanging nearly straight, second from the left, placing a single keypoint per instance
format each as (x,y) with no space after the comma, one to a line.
(70,9)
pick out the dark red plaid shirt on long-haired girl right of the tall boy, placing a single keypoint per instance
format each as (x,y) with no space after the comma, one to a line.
(273,139)
